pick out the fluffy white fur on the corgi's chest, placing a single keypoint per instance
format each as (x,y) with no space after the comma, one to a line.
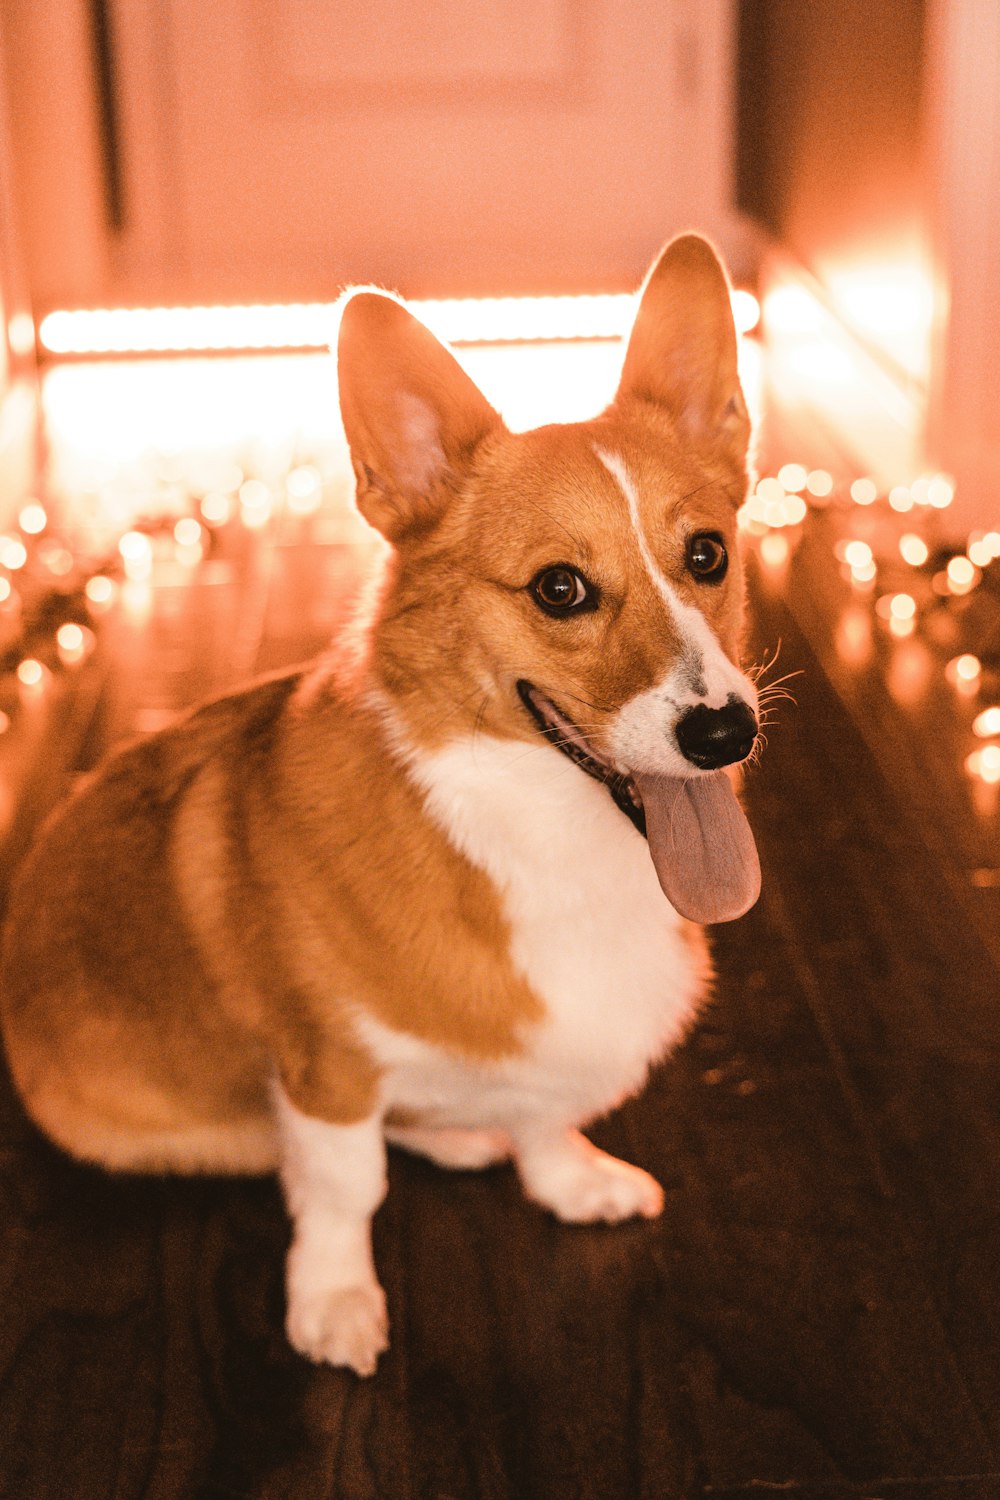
(591,932)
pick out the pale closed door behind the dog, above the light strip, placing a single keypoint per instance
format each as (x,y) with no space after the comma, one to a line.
(284,148)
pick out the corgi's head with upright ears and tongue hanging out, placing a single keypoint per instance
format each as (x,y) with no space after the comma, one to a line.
(579,583)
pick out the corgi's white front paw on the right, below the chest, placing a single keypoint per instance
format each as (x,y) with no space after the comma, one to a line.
(564,1172)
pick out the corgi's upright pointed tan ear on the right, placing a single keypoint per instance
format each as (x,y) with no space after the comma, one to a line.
(683,347)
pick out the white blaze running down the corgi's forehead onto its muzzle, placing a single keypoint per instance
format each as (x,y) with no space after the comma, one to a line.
(642,734)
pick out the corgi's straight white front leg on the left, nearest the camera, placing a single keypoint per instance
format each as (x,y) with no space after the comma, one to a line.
(334,1180)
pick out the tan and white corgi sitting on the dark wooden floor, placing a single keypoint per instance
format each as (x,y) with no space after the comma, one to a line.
(445,889)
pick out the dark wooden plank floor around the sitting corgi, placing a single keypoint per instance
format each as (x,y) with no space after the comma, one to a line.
(818,1310)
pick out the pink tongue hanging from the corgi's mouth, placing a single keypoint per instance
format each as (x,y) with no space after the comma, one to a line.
(701,845)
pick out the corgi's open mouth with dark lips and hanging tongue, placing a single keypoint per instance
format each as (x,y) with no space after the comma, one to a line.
(699,839)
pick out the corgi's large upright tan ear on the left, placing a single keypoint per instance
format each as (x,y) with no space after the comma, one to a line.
(412,415)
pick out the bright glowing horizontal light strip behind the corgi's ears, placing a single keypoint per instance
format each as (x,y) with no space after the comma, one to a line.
(313,326)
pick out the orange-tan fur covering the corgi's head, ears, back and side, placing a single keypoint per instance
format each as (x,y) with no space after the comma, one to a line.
(212,911)
